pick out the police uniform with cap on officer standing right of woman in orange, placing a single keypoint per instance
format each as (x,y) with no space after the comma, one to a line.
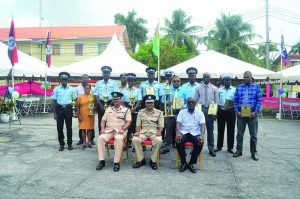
(102,89)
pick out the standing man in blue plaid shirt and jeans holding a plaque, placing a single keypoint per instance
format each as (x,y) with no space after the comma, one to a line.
(247,96)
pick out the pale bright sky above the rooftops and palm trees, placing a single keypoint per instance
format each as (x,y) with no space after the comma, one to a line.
(284,14)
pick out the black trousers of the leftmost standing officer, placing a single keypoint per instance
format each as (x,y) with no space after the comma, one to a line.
(64,115)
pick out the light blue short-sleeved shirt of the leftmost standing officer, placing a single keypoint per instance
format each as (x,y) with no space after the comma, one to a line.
(63,96)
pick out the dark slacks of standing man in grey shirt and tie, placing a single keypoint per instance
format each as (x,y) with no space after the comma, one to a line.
(209,121)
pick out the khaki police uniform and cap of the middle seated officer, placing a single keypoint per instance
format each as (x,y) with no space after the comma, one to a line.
(149,123)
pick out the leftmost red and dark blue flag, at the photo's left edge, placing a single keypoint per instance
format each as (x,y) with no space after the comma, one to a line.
(12,47)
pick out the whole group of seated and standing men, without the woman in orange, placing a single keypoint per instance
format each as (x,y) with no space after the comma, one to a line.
(169,114)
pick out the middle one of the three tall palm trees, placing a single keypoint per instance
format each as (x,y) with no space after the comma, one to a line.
(179,31)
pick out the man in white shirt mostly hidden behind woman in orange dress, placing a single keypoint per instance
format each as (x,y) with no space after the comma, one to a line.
(79,90)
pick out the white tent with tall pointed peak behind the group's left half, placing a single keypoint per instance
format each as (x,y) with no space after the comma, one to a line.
(114,56)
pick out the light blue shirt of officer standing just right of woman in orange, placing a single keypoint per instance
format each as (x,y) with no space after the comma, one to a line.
(102,88)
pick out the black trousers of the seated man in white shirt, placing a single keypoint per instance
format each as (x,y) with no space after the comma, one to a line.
(197,147)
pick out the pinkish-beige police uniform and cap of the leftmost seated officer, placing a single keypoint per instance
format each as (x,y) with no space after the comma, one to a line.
(115,120)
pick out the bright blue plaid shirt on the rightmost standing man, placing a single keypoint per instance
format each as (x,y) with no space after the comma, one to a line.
(248,94)
